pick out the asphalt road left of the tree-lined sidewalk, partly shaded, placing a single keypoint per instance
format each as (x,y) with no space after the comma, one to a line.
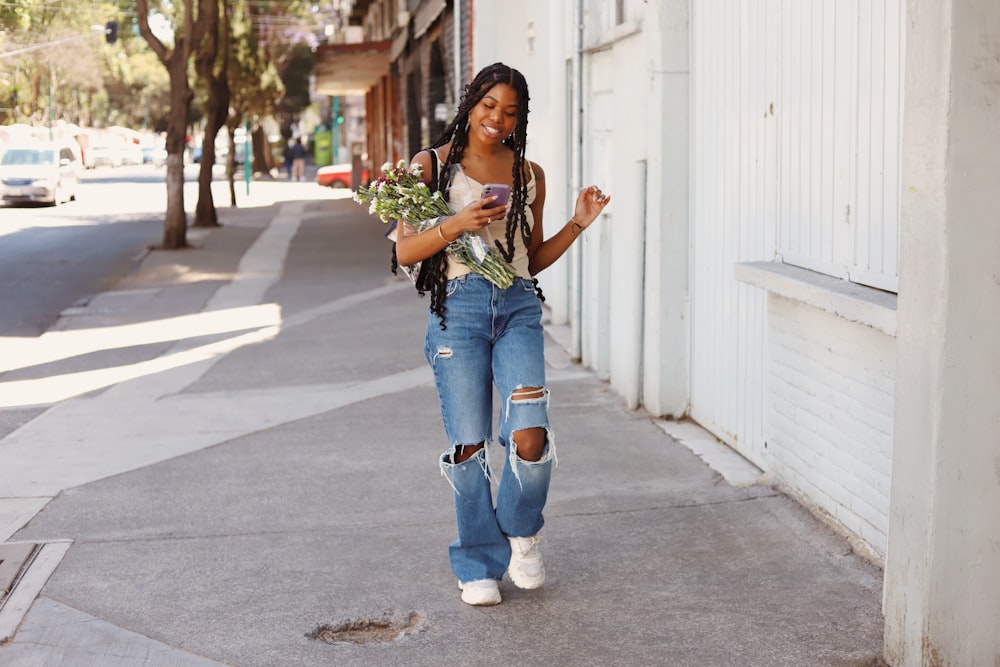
(52,258)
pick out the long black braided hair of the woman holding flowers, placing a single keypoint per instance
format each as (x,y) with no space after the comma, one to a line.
(434,270)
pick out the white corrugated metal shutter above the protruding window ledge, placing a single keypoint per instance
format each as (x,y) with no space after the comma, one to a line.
(839,112)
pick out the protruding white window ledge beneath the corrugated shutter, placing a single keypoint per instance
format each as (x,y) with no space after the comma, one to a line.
(853,302)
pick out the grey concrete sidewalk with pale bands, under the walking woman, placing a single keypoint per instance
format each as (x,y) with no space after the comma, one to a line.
(231,459)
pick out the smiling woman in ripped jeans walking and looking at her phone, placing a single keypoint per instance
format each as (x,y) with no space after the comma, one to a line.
(479,334)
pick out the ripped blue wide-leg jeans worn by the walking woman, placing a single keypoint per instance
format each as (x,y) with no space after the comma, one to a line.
(494,336)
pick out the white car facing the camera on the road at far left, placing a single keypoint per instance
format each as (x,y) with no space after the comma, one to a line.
(45,172)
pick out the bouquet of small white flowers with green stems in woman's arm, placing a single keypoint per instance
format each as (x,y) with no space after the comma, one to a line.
(399,195)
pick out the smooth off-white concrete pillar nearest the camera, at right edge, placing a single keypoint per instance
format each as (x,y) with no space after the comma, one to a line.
(942,573)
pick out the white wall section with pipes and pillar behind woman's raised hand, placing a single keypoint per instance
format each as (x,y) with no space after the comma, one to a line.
(624,286)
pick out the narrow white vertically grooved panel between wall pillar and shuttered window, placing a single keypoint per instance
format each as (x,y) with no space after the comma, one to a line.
(733,212)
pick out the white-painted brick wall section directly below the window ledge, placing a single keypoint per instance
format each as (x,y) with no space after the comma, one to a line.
(830,415)
